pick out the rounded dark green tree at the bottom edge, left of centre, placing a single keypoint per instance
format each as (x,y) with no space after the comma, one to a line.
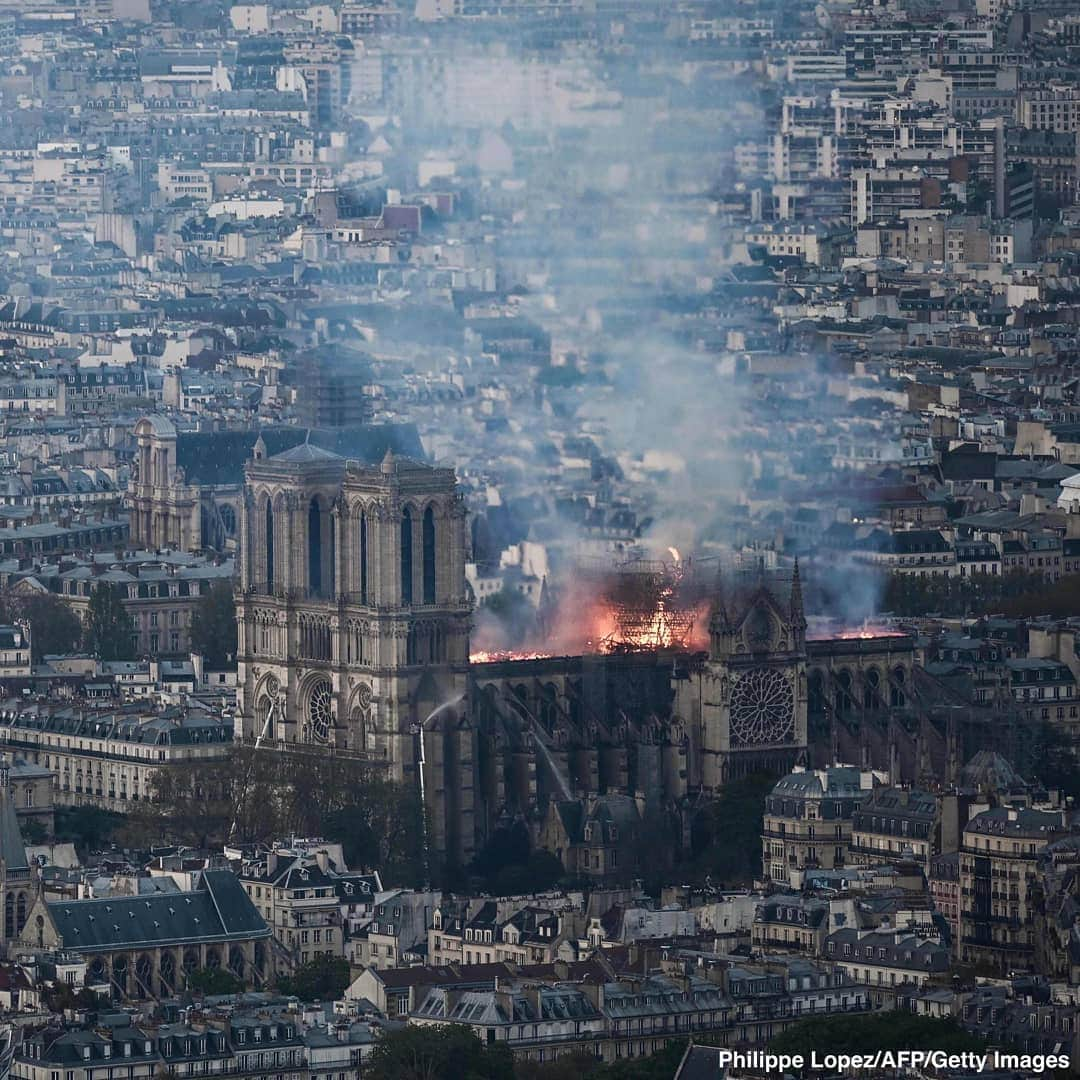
(441,1052)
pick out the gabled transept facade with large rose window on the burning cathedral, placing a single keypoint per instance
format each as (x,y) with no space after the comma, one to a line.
(754,688)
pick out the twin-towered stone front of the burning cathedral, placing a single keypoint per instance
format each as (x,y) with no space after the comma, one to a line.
(354,620)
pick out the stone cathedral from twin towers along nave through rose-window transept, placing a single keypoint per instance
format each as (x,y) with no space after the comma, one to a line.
(355,620)
